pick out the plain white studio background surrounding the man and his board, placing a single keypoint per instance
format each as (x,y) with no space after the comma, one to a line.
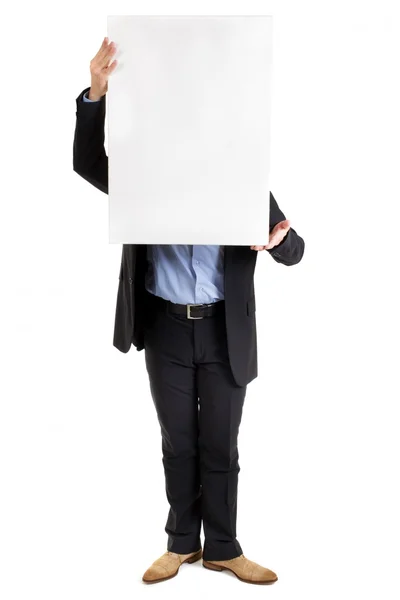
(82,498)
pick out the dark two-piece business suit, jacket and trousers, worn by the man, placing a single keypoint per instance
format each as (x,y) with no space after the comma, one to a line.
(198,369)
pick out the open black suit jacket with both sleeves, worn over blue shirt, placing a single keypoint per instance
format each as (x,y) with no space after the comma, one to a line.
(91,162)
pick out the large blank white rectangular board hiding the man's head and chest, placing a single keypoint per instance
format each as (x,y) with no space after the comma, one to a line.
(189,129)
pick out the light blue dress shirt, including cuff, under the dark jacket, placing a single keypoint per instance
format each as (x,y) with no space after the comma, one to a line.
(185,274)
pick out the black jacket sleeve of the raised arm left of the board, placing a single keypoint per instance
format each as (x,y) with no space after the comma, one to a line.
(89,156)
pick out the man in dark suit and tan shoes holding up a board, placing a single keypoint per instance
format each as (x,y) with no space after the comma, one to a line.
(192,309)
